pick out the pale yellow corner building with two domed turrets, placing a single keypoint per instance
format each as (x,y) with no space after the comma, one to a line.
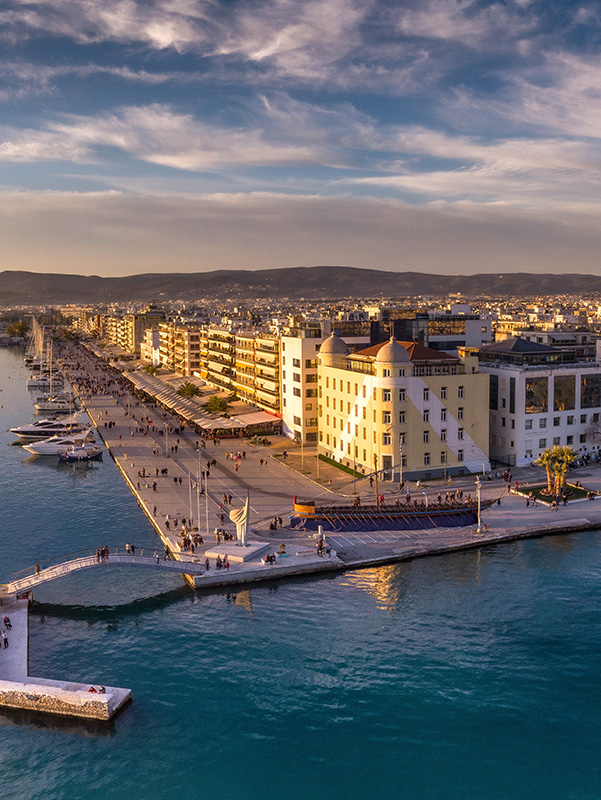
(402,403)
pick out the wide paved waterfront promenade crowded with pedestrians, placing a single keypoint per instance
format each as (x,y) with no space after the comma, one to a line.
(145,439)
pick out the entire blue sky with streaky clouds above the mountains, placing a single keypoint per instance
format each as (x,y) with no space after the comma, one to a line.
(446,136)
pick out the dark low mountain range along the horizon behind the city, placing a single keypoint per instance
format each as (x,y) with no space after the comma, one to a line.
(294,283)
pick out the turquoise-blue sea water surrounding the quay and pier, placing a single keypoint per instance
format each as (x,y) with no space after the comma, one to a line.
(474,675)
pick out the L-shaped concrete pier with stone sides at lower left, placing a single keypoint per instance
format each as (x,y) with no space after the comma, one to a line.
(20,690)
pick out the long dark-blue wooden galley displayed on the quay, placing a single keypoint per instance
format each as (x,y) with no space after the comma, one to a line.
(413,515)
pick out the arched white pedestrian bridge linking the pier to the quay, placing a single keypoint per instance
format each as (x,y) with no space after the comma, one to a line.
(40,573)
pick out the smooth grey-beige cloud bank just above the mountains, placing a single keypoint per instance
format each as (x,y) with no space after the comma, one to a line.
(116,233)
